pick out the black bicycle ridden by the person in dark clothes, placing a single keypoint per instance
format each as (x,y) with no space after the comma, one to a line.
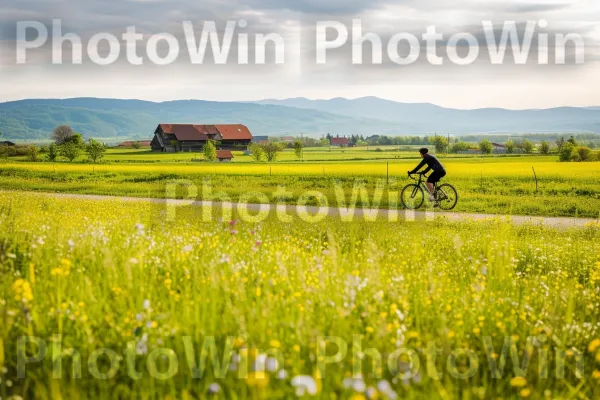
(413,195)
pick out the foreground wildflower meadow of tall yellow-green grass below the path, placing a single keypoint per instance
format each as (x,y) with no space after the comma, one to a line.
(291,307)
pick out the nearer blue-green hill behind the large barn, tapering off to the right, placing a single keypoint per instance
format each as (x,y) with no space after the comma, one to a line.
(35,119)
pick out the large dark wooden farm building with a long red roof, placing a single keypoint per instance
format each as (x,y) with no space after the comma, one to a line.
(191,137)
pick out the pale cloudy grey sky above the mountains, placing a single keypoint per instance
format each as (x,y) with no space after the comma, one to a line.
(477,85)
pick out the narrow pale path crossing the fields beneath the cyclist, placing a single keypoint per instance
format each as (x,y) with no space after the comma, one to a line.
(358,213)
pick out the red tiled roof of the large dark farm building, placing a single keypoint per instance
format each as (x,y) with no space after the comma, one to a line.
(192,132)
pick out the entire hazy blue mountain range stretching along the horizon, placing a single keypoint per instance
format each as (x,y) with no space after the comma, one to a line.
(106,118)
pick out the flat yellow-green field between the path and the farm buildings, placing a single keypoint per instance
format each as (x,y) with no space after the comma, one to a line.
(499,185)
